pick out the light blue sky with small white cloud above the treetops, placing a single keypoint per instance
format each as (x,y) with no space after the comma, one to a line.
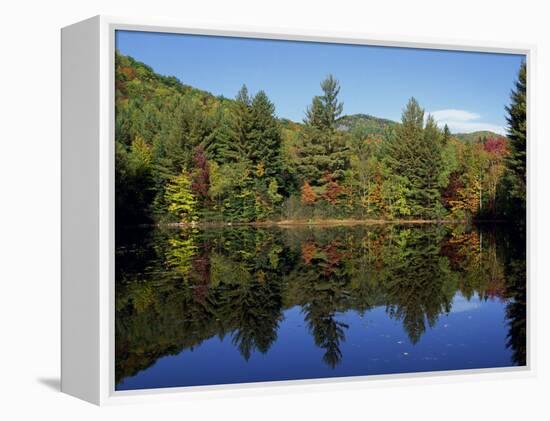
(468,91)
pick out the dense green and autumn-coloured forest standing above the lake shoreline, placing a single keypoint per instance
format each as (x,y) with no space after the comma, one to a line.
(185,155)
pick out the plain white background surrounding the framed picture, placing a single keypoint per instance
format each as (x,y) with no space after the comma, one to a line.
(29,211)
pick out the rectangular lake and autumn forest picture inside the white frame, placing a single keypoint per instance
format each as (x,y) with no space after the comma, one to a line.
(301,210)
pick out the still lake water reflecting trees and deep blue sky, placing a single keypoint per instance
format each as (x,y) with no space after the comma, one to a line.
(247,304)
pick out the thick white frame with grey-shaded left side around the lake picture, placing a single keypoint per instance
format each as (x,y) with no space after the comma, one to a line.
(88,212)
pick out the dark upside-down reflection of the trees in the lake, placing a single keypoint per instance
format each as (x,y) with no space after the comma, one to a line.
(178,288)
